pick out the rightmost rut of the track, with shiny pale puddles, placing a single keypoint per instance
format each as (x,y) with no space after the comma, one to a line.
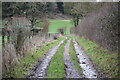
(88,68)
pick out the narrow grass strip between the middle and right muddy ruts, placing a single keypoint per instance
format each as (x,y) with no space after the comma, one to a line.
(74,59)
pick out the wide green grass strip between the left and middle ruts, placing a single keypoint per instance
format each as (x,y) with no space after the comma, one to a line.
(56,67)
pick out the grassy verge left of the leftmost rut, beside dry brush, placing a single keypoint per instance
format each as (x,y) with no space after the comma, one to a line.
(26,63)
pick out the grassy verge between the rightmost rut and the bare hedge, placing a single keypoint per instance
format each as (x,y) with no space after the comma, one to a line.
(106,60)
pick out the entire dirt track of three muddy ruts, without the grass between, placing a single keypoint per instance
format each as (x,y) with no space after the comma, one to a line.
(88,68)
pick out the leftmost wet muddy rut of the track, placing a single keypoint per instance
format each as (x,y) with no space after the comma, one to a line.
(40,72)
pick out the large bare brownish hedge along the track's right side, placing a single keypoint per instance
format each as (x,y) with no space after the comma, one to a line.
(101,26)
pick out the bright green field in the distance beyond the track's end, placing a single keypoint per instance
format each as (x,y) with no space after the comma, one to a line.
(56,24)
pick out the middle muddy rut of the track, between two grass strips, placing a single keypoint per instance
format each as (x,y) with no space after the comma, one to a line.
(71,72)
